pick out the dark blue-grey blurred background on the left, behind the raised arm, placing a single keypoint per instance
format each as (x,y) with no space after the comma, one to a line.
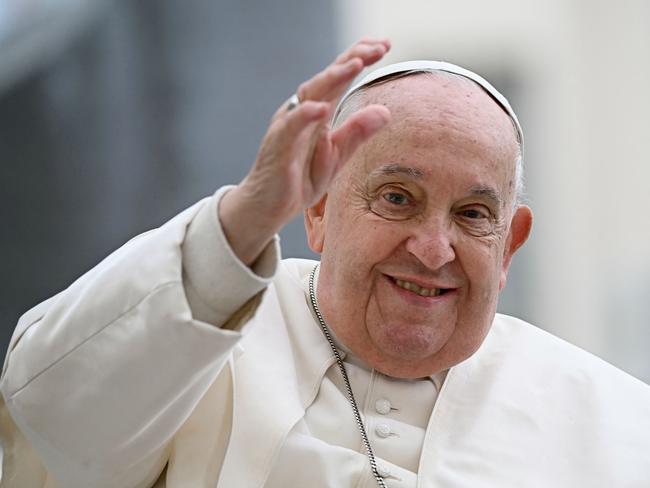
(115,115)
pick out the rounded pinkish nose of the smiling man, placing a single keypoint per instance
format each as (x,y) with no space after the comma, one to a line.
(432,244)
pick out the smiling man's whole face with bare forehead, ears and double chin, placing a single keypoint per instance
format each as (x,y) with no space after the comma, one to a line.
(417,233)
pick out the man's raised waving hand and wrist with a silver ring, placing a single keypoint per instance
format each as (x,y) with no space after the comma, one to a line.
(300,154)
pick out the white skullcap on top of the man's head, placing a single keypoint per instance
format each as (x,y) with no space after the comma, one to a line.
(400,70)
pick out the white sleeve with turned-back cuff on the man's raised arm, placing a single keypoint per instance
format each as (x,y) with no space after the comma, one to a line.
(101,376)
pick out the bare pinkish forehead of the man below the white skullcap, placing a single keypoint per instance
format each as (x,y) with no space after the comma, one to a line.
(439,118)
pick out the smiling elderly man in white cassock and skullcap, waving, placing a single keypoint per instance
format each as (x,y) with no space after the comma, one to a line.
(194,357)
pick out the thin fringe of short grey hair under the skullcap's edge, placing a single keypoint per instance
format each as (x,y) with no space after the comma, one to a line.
(356,100)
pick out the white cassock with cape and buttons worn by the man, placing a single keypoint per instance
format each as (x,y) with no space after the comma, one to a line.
(126,379)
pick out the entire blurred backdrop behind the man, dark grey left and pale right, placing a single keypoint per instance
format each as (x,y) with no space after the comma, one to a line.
(115,115)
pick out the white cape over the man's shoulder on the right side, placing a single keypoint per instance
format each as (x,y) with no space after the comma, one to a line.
(544,408)
